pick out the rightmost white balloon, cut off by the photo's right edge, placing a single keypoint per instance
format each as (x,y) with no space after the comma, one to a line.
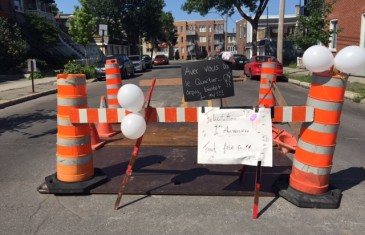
(350,59)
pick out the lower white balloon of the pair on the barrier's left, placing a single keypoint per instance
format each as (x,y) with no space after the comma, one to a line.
(133,126)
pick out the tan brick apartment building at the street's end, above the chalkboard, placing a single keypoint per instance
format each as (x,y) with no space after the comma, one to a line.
(199,38)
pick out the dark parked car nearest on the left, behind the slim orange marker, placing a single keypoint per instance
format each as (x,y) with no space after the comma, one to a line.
(126,66)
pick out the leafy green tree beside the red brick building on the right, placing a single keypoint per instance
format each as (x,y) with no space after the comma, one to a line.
(313,26)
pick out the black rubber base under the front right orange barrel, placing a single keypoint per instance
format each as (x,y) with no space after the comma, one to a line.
(330,200)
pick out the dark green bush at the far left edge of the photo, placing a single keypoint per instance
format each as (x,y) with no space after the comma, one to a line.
(13,47)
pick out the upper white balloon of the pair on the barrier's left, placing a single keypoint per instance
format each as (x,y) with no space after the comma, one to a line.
(131,97)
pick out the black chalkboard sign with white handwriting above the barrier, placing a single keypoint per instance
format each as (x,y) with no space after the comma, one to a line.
(205,80)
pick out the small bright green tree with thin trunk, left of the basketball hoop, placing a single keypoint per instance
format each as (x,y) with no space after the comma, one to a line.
(83,25)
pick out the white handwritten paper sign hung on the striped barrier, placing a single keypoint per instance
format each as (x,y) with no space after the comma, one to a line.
(235,136)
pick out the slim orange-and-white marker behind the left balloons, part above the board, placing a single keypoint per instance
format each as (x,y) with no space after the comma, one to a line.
(113,82)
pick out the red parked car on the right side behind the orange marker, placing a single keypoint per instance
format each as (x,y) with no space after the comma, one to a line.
(253,67)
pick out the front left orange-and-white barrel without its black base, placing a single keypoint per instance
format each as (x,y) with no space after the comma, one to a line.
(74,155)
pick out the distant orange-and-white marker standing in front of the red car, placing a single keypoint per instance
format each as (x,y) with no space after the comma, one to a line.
(268,75)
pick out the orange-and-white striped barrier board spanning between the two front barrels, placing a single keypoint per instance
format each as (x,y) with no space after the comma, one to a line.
(181,114)
